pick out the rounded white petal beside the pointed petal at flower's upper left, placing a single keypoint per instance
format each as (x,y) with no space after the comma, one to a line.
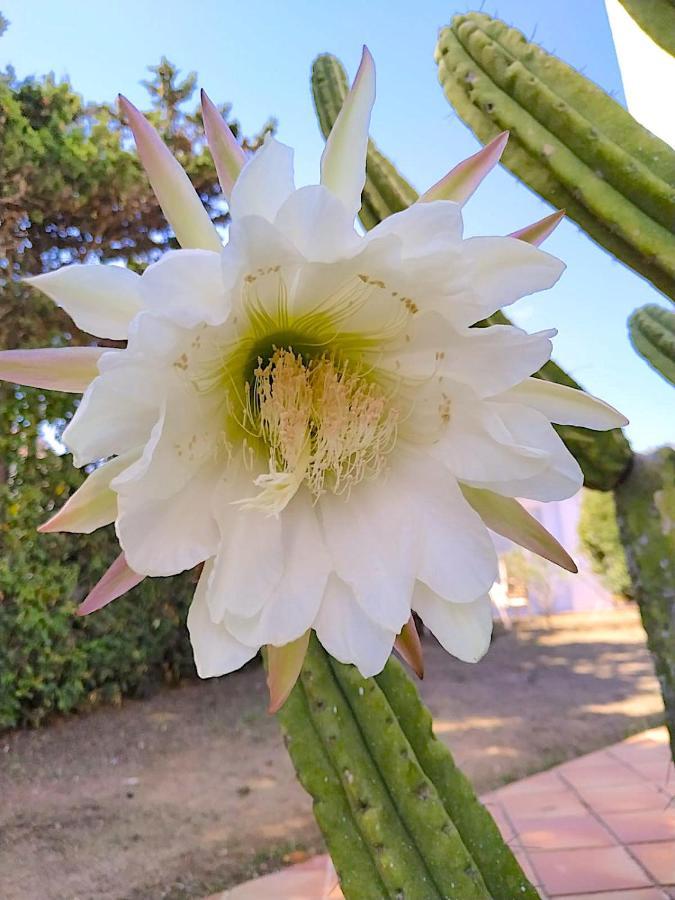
(187,287)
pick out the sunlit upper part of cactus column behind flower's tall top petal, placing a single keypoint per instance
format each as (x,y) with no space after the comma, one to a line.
(386,191)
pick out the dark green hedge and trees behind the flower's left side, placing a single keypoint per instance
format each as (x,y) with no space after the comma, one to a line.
(72,189)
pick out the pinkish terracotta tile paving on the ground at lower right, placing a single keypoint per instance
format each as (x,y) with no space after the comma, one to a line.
(601,827)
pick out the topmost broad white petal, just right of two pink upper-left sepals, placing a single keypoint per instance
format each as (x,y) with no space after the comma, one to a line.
(264,183)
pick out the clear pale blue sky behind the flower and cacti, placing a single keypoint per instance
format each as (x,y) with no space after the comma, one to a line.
(258,54)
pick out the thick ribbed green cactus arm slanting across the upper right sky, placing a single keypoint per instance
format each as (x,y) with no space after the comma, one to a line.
(570,142)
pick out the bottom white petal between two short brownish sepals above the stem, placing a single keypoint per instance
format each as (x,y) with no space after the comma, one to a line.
(348,634)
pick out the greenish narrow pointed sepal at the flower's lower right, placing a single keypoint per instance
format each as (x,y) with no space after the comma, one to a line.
(507,517)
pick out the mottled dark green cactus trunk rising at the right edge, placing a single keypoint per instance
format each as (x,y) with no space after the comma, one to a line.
(645,505)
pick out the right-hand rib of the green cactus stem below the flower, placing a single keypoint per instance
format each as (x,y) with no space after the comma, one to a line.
(499,867)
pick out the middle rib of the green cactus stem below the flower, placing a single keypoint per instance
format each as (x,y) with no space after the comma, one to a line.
(414,795)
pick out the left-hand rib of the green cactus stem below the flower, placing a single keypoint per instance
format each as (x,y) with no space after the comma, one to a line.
(353,863)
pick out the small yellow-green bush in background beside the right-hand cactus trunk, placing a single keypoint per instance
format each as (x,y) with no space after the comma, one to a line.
(601,542)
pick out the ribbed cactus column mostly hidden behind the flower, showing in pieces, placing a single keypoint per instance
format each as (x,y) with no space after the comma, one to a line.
(603,456)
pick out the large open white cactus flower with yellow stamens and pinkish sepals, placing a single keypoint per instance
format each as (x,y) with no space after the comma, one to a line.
(308,411)
